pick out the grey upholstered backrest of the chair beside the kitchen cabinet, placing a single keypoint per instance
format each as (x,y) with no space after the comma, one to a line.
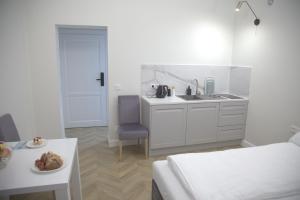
(129,109)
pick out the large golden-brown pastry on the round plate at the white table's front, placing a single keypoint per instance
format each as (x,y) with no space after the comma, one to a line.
(49,161)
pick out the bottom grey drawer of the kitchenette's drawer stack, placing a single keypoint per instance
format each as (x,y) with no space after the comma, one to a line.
(231,133)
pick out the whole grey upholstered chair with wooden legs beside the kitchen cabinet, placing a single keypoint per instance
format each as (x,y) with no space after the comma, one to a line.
(130,127)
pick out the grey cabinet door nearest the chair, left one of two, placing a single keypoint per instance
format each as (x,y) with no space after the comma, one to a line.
(168,126)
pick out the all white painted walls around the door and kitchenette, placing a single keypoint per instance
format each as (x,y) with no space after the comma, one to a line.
(152,32)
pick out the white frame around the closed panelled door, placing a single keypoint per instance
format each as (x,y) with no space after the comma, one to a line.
(60,68)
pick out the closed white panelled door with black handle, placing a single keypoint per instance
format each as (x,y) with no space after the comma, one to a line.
(83,60)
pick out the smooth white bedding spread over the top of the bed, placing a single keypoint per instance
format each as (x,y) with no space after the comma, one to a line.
(266,172)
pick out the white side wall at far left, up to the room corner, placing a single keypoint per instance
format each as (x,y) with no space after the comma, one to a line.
(15,74)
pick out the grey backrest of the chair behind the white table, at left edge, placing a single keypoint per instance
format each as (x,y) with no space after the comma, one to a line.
(8,130)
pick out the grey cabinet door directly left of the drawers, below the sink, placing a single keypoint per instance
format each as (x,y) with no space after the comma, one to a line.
(202,123)
